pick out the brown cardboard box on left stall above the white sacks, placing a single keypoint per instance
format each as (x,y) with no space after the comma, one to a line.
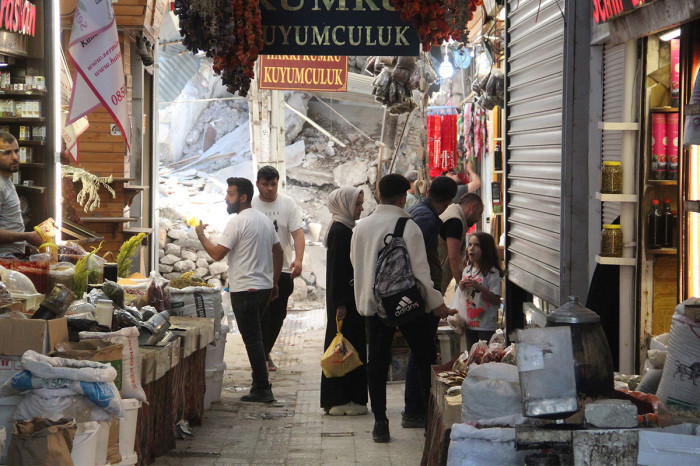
(20,335)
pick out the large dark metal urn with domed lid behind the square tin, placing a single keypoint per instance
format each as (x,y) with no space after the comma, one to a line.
(593,363)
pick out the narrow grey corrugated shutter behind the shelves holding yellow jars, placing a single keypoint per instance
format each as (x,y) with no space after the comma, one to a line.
(613,87)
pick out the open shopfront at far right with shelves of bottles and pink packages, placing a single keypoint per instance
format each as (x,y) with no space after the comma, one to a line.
(647,67)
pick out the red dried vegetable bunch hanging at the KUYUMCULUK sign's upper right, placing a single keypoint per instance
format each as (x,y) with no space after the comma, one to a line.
(437,20)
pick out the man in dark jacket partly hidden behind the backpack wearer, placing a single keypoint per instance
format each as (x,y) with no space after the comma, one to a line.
(426,214)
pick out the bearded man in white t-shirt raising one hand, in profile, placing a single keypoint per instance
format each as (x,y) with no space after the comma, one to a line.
(254,266)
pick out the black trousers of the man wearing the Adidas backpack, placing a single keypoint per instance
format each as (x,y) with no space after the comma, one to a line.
(420,338)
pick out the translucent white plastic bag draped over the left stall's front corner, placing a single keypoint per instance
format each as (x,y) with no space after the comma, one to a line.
(131,359)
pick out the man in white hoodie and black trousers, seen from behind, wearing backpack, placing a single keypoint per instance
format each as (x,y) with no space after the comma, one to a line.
(367,242)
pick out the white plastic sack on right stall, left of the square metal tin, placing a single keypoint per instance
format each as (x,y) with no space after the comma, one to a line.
(491,390)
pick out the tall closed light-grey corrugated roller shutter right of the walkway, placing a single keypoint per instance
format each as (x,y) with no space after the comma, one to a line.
(535,57)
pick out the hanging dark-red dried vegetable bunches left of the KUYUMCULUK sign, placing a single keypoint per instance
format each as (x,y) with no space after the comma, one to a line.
(229,31)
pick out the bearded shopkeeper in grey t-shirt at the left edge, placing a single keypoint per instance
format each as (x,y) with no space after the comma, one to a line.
(13,238)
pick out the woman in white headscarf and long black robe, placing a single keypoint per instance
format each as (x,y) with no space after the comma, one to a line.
(345,395)
